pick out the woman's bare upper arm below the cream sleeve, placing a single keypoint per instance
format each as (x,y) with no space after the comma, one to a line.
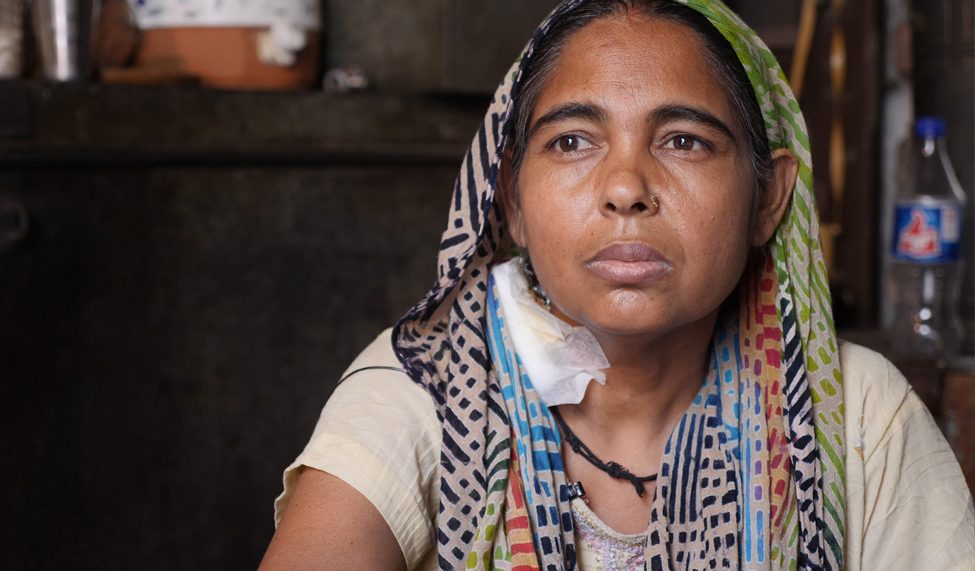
(329,525)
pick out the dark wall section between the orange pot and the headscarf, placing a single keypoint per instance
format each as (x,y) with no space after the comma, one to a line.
(431,45)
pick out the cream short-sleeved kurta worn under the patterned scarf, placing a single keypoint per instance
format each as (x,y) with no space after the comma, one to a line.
(907,505)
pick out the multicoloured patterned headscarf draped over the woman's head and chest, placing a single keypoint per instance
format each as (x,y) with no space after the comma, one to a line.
(782,349)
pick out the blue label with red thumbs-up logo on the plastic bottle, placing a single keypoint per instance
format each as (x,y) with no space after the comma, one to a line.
(927,234)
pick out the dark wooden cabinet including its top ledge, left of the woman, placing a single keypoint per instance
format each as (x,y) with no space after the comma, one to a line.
(199,269)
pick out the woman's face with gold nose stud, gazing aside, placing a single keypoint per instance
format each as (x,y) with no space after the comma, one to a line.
(632,112)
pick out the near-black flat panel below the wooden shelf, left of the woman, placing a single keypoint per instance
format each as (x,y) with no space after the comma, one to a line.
(168,337)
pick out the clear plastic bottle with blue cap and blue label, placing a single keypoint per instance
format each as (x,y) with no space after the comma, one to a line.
(926,273)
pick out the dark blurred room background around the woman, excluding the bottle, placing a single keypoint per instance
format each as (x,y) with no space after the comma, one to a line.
(207,209)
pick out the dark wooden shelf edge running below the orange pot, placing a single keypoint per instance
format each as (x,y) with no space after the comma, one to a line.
(43,123)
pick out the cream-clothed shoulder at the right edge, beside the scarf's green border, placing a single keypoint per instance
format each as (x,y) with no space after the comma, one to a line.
(908,506)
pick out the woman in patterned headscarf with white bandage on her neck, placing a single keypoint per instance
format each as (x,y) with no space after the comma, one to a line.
(651,165)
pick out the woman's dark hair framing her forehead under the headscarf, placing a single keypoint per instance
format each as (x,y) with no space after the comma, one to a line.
(718,53)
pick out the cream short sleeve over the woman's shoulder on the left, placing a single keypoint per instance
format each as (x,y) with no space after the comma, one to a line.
(379,433)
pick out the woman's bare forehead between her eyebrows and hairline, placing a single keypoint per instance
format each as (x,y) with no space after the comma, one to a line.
(633,66)
